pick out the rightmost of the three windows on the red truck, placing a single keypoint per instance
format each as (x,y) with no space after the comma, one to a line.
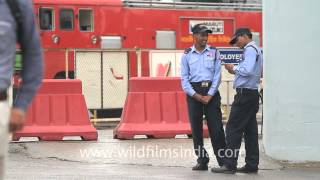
(85,20)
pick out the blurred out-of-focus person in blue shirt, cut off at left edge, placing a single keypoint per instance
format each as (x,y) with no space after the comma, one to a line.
(17,24)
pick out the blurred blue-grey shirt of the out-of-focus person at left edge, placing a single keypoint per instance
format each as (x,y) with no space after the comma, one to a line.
(32,61)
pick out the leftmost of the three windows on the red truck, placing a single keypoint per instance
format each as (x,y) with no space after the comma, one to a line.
(46,19)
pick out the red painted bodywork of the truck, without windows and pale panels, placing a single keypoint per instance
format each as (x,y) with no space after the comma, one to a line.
(136,26)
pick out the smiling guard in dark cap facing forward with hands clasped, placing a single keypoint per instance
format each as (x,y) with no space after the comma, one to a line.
(200,79)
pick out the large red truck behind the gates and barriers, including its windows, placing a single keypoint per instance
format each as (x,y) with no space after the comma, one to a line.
(93,24)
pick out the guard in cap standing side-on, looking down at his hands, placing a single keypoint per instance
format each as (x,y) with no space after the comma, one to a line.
(242,120)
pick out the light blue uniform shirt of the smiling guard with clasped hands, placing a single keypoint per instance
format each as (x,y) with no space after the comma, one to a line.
(200,66)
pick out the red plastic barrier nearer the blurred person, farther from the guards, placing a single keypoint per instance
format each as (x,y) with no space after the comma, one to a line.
(58,110)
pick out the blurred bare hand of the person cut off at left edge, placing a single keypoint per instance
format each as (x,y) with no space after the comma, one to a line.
(16,120)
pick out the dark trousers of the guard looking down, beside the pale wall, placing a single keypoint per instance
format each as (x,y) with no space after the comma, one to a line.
(243,123)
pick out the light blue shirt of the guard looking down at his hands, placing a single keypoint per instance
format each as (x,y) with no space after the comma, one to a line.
(248,72)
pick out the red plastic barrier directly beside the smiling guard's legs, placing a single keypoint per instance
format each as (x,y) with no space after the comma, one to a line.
(155,107)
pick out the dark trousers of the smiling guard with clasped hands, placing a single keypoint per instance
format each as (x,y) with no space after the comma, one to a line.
(213,114)
